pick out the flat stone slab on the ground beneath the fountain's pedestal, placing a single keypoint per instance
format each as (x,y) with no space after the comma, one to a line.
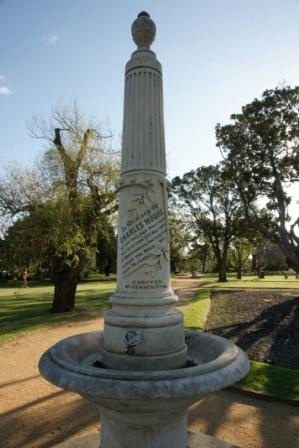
(194,441)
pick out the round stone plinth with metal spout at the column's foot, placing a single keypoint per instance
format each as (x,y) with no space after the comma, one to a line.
(159,339)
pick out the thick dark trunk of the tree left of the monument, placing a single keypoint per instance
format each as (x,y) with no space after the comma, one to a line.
(65,285)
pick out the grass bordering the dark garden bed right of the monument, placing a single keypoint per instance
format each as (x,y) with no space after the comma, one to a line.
(262,378)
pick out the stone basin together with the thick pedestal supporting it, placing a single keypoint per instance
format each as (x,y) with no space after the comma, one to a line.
(147,408)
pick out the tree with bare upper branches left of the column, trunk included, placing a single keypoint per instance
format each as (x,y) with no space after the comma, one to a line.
(60,205)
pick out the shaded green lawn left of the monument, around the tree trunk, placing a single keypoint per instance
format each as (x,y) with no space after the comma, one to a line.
(27,309)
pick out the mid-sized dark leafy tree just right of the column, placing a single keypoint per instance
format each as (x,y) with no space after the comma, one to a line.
(214,207)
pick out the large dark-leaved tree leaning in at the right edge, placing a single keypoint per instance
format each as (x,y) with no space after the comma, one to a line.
(262,157)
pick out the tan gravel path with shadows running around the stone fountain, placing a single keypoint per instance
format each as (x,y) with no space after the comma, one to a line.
(36,414)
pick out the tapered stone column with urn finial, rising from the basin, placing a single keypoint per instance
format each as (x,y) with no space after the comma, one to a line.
(143,330)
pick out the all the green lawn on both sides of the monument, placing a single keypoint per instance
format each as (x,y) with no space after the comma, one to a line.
(27,309)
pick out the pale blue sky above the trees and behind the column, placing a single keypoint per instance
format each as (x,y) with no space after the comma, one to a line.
(217,55)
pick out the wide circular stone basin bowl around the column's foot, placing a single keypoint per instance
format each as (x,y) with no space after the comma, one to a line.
(213,363)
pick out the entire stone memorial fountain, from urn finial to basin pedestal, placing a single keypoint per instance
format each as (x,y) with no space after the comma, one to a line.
(144,371)
